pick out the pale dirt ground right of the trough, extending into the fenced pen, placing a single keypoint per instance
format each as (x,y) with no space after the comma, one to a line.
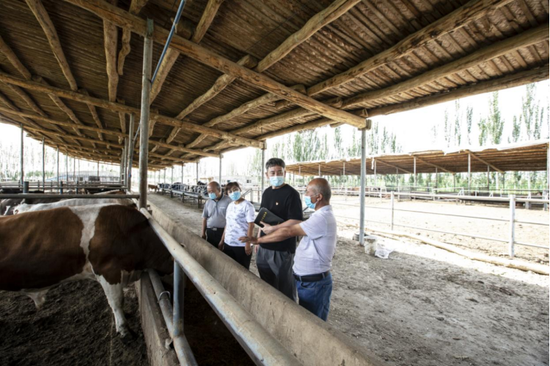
(425,306)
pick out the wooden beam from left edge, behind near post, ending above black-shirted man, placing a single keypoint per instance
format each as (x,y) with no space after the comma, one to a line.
(112,106)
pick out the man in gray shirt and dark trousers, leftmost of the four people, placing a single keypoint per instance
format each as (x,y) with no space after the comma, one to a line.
(213,215)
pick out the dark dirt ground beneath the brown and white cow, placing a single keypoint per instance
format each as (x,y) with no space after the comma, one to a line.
(74,327)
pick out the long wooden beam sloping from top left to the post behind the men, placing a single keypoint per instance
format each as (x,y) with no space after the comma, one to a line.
(209,58)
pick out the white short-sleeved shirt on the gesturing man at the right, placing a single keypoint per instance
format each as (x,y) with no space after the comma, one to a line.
(316,249)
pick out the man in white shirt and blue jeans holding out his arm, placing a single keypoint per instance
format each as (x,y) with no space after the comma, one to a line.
(313,259)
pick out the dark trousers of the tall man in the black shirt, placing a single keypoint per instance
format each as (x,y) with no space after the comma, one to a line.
(275,268)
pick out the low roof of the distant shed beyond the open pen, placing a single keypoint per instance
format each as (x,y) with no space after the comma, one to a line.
(529,156)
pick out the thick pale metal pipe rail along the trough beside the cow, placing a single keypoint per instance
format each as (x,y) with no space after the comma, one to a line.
(262,348)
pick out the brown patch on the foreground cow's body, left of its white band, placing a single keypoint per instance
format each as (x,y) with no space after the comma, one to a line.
(40,249)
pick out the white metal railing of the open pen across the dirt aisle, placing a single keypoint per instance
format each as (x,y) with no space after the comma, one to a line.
(512,200)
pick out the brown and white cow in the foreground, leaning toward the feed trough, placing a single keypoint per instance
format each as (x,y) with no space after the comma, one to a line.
(110,244)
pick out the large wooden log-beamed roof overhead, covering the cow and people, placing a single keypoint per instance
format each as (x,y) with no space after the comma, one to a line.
(239,72)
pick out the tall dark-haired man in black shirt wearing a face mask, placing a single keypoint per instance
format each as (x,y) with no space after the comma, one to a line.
(274,260)
